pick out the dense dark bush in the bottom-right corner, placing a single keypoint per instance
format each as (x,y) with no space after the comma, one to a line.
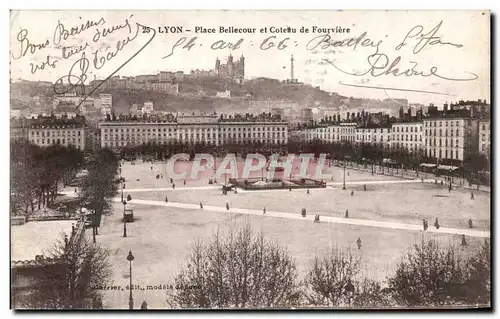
(433,276)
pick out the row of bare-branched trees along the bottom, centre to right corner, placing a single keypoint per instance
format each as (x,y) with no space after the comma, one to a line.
(244,270)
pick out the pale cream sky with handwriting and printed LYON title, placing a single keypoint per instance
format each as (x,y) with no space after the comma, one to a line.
(454,45)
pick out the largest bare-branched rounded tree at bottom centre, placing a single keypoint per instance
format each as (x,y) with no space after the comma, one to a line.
(238,271)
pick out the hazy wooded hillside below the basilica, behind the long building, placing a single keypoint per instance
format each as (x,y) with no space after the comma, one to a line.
(198,95)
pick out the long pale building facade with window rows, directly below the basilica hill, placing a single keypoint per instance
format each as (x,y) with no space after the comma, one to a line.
(194,129)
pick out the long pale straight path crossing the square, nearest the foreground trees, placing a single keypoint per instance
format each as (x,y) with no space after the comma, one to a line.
(310,218)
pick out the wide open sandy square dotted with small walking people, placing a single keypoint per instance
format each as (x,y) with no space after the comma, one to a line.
(387,217)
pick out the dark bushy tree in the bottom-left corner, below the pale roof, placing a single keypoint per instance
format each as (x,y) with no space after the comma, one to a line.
(71,277)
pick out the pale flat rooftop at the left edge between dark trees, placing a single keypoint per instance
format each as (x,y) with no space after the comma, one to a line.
(37,238)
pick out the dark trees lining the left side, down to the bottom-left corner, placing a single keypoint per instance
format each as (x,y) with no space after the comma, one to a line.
(69,278)
